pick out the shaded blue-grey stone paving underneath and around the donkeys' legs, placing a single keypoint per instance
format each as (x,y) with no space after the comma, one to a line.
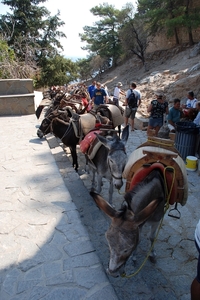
(171,276)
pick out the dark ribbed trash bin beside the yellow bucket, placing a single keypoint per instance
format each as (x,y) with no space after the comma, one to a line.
(185,140)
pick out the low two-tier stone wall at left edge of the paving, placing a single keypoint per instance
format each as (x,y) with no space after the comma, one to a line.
(16,97)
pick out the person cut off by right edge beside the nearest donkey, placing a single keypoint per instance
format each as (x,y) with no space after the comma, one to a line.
(195,286)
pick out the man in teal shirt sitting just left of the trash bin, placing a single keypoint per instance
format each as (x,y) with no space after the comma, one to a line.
(174,115)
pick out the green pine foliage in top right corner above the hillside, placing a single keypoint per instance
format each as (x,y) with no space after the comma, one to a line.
(170,16)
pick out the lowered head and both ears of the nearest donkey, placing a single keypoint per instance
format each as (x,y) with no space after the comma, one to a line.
(123,233)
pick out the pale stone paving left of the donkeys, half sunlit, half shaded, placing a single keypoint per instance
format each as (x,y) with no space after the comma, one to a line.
(45,251)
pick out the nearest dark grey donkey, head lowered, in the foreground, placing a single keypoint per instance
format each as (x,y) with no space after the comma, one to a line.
(143,203)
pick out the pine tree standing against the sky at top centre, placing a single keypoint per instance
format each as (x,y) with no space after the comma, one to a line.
(103,38)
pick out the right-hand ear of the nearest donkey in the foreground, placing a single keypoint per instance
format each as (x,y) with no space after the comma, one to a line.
(144,214)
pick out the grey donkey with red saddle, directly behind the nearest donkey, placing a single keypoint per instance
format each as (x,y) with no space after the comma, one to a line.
(109,161)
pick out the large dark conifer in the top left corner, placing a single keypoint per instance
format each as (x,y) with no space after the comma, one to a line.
(30,30)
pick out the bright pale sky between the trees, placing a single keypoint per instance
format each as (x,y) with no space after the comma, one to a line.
(76,15)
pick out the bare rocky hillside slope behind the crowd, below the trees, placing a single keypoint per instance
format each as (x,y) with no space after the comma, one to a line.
(175,72)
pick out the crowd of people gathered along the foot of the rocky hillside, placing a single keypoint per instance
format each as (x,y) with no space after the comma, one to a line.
(159,111)
